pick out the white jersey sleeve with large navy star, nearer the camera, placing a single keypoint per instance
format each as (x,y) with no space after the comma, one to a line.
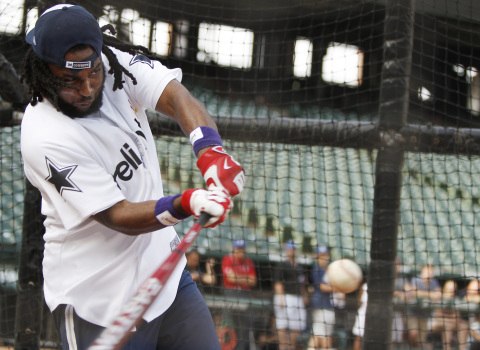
(64,167)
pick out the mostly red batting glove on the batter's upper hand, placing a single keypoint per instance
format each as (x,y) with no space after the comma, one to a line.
(221,170)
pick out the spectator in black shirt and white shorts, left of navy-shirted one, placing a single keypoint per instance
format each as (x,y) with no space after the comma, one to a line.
(290,299)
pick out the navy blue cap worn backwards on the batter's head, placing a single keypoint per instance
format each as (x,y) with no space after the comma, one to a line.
(62,27)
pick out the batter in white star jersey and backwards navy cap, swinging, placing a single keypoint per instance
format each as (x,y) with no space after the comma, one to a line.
(88,148)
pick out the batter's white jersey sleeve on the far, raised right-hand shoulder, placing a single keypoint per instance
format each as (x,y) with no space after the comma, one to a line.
(152,77)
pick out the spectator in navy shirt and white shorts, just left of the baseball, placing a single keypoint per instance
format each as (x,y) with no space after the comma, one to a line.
(323,314)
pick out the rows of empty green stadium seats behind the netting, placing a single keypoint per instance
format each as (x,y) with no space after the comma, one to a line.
(320,195)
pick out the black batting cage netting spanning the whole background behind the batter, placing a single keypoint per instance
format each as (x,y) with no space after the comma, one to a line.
(357,123)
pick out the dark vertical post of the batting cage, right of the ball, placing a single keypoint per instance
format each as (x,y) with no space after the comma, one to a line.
(399,23)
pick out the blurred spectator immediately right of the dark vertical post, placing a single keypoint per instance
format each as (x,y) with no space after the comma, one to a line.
(401,285)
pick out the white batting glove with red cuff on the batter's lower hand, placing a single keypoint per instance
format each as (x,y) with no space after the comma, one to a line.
(216,202)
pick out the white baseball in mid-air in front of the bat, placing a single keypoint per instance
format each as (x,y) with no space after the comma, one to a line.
(344,275)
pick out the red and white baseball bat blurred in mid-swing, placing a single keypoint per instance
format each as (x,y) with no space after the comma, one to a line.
(114,336)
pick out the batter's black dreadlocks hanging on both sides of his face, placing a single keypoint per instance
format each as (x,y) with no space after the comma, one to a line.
(43,84)
